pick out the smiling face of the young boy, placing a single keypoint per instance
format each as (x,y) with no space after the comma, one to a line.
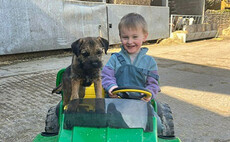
(132,39)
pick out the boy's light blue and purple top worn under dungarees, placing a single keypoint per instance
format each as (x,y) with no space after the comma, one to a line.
(142,61)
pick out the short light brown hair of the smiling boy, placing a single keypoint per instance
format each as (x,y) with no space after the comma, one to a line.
(133,21)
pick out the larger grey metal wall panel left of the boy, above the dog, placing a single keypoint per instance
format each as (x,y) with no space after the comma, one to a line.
(39,25)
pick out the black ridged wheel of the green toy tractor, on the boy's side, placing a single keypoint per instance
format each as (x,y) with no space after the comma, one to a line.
(165,114)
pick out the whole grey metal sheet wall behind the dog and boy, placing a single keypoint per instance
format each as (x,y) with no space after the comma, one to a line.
(39,25)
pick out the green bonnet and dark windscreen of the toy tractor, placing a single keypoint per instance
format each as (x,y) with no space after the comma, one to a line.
(105,120)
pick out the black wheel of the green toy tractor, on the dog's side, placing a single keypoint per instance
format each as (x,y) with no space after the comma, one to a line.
(52,121)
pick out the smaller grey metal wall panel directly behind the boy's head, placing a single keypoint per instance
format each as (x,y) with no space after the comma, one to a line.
(156,17)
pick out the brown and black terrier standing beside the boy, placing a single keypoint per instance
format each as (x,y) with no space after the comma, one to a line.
(84,70)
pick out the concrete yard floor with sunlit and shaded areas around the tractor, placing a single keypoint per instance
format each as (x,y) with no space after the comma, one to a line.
(194,80)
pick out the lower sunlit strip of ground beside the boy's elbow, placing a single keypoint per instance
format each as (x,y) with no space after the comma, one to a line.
(205,100)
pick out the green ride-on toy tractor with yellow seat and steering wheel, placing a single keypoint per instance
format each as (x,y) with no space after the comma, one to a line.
(107,120)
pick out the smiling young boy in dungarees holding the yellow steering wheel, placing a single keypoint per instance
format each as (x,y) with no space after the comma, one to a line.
(131,67)
